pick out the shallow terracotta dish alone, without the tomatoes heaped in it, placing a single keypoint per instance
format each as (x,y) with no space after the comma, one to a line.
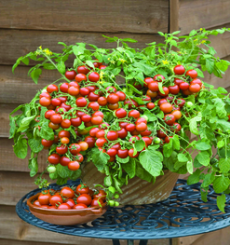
(66,217)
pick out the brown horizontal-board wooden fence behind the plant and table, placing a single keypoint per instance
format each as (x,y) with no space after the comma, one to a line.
(25,25)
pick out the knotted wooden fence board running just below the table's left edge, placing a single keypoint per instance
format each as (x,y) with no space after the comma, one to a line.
(13,228)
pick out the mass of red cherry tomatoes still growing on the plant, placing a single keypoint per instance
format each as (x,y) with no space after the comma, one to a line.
(82,102)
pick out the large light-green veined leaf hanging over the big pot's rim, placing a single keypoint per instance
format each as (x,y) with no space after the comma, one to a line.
(151,161)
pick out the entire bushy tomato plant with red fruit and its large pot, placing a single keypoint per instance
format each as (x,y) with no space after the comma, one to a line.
(121,118)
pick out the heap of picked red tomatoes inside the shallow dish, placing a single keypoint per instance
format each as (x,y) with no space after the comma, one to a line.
(70,198)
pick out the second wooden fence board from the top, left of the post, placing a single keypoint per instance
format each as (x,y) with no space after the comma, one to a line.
(16,43)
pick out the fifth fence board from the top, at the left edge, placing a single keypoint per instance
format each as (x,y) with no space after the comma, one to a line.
(9,161)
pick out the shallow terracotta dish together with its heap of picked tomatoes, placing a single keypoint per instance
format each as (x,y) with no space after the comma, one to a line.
(68,206)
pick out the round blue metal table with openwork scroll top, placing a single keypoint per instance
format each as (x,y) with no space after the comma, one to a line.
(182,214)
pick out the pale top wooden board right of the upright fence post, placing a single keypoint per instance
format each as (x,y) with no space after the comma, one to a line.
(194,14)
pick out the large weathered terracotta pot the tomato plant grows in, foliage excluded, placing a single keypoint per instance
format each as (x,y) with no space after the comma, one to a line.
(137,191)
